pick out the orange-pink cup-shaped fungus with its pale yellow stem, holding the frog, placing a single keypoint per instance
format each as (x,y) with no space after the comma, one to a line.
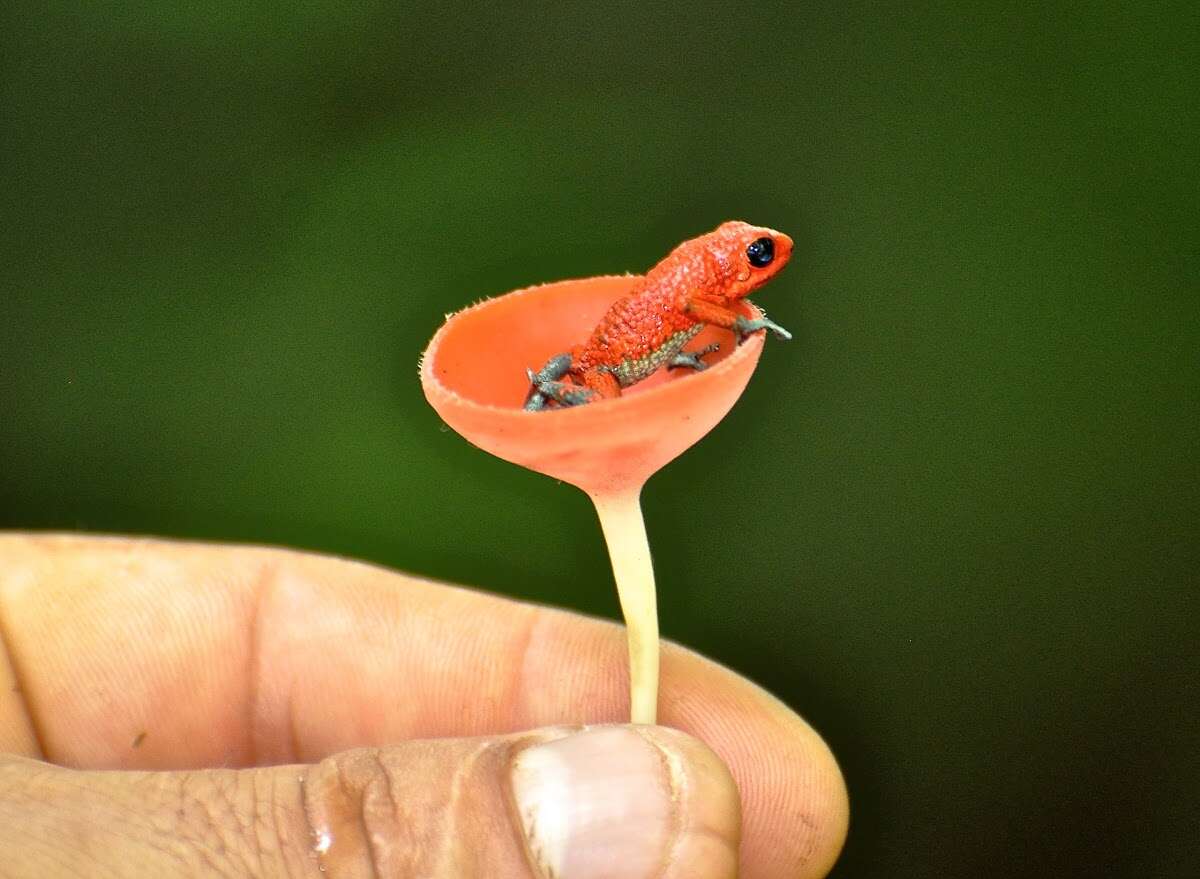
(475,375)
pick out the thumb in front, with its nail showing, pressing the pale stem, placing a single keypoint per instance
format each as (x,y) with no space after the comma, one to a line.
(554,804)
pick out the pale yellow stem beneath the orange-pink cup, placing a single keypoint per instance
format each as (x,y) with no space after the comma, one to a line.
(625,531)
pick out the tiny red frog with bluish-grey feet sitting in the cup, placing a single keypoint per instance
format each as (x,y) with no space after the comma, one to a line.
(695,285)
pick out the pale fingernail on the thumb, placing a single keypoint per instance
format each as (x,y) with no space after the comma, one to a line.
(598,804)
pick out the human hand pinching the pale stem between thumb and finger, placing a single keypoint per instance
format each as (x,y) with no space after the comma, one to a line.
(281,714)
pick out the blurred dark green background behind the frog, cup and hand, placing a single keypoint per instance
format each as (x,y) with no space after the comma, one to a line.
(952,523)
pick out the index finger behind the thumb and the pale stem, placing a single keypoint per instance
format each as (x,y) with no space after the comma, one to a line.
(142,654)
